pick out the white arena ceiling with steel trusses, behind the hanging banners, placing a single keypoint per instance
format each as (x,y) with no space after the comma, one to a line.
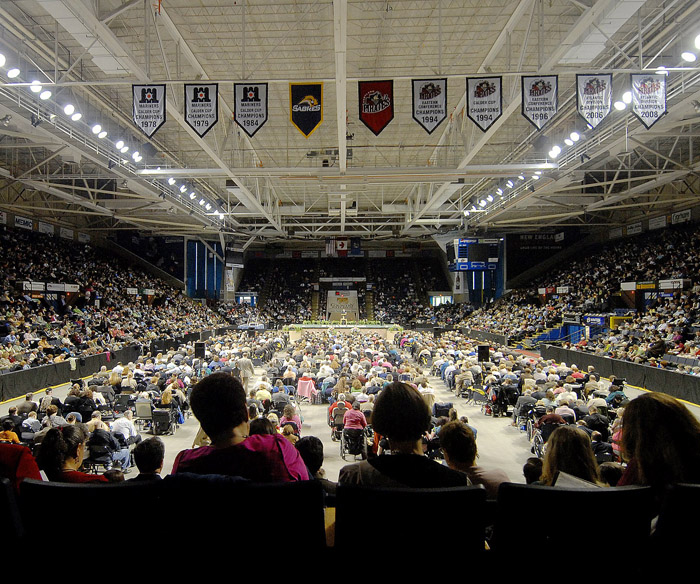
(342,180)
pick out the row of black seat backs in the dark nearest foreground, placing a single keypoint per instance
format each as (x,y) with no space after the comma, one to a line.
(524,517)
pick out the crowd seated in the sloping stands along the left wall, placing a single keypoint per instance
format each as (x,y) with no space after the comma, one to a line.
(101,316)
